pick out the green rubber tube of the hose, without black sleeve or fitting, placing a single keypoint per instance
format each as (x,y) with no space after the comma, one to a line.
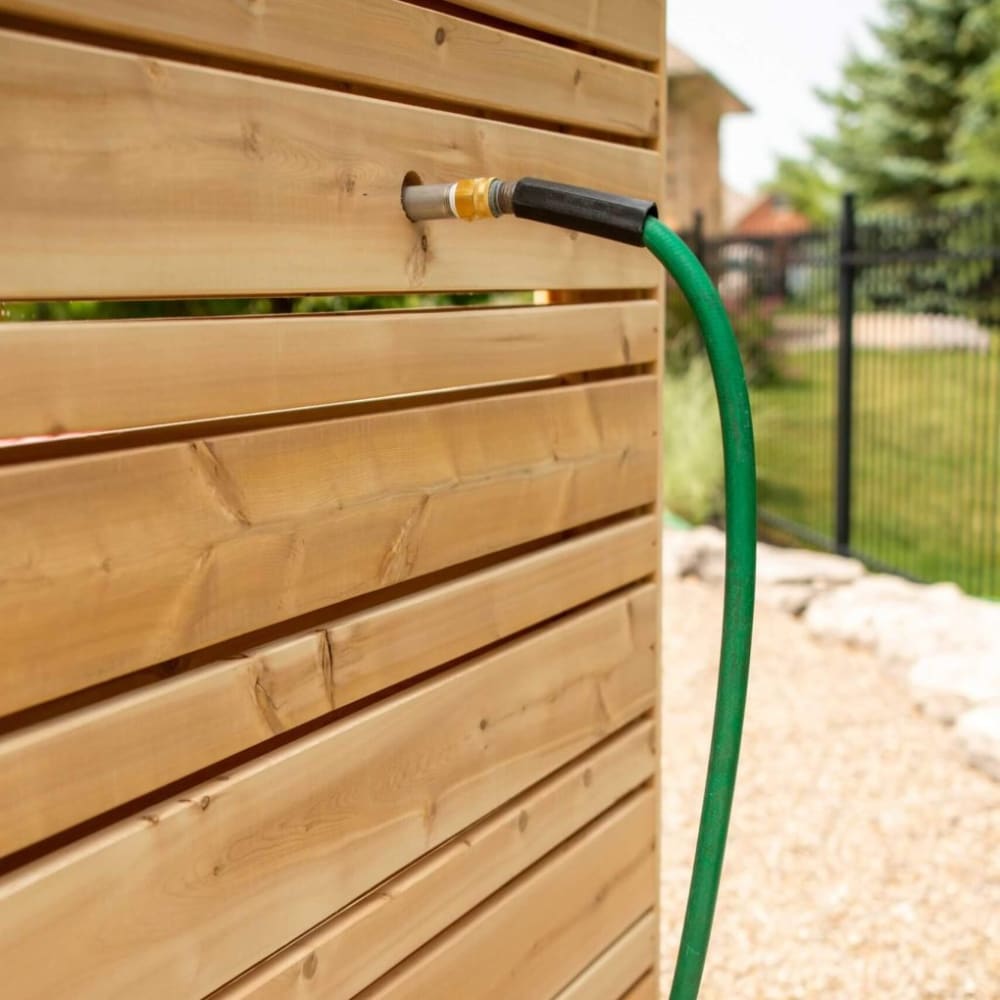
(737,621)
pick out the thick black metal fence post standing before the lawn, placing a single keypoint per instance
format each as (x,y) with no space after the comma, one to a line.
(845,375)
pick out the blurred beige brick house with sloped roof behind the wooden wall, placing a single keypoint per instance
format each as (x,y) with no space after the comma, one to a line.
(696,102)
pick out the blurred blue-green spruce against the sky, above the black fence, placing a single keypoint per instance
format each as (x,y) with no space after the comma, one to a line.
(897,113)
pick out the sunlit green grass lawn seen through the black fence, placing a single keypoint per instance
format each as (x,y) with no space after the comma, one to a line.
(926,458)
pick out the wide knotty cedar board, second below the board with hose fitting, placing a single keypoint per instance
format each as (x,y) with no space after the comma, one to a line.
(117,561)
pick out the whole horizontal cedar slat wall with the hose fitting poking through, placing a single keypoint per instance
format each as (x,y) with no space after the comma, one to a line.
(330,641)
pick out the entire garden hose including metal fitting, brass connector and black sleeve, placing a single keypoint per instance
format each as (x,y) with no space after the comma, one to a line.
(633,221)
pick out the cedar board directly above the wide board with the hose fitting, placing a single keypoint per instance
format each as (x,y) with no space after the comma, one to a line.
(391,45)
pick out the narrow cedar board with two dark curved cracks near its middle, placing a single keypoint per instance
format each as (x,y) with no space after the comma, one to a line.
(77,765)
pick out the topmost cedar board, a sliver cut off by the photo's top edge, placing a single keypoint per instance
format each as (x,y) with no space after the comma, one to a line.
(634,28)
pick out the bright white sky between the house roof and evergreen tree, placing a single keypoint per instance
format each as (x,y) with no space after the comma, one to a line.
(772,53)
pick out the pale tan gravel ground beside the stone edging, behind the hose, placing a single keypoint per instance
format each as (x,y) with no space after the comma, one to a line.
(864,858)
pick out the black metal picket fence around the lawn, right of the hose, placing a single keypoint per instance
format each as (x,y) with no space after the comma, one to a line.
(878,415)
